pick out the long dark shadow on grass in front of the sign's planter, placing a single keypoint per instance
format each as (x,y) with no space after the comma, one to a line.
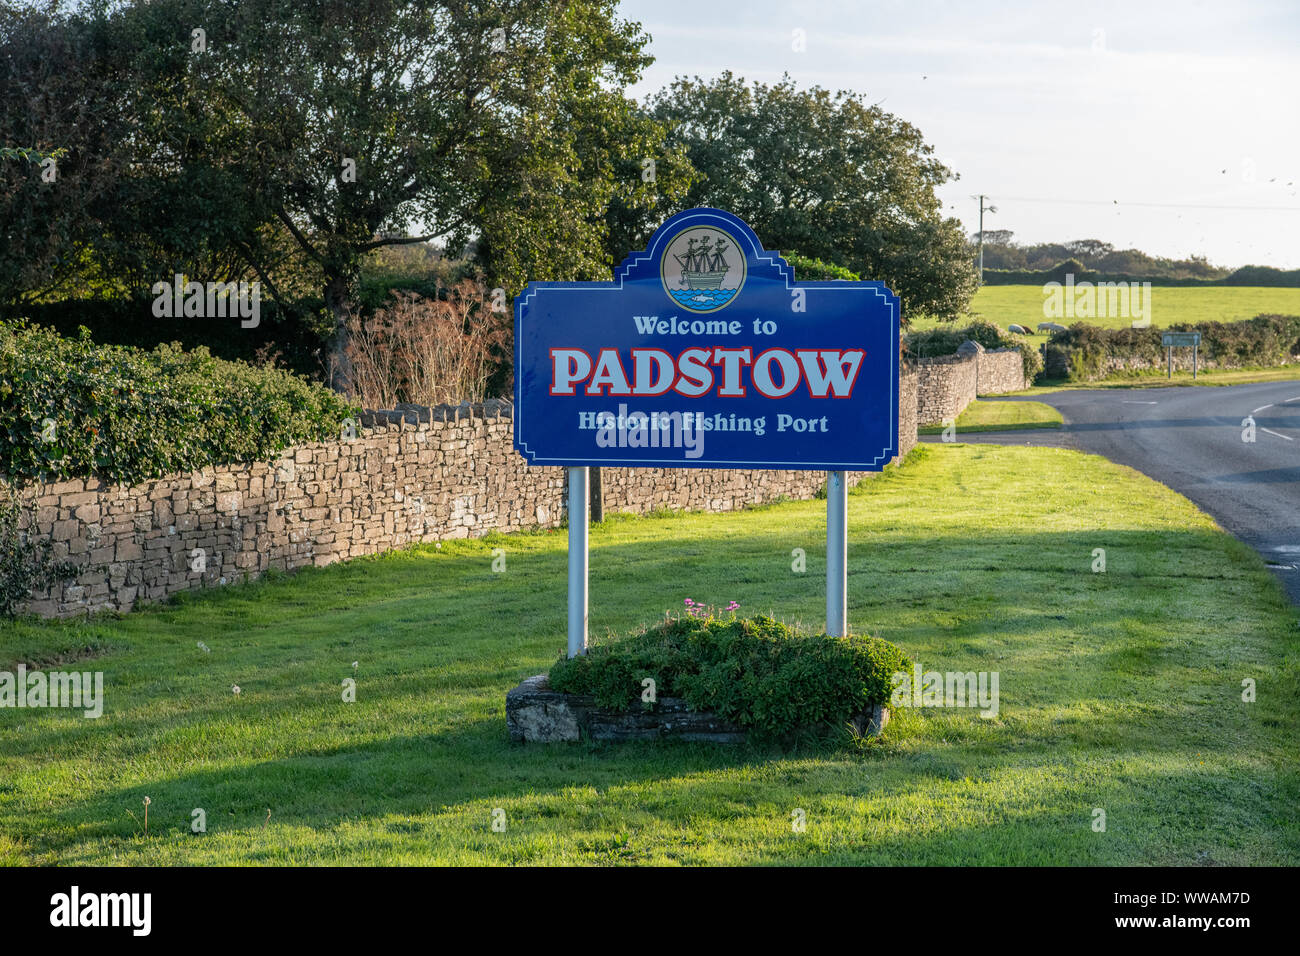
(398,776)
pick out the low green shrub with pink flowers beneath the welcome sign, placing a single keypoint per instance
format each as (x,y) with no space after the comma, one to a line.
(753,672)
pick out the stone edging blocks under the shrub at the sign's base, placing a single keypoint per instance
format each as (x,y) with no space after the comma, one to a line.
(535,713)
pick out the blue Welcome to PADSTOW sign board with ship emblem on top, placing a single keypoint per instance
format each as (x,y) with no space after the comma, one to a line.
(707,353)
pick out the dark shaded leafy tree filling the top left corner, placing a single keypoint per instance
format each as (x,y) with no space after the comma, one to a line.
(144,185)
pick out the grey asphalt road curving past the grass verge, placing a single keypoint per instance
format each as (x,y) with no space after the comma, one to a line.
(1191,439)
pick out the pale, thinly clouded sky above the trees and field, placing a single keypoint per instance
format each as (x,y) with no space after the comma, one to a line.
(1173,128)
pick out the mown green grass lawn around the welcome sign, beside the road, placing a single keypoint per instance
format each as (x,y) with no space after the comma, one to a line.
(1120,691)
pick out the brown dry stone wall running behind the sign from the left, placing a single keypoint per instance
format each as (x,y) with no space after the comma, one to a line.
(413,475)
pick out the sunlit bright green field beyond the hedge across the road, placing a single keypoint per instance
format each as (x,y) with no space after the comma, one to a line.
(1022,305)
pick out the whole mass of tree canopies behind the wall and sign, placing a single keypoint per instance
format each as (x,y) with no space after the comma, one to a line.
(289,141)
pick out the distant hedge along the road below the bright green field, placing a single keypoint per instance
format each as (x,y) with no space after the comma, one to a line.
(1081,353)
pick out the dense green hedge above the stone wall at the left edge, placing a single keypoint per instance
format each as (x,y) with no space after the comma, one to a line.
(124,414)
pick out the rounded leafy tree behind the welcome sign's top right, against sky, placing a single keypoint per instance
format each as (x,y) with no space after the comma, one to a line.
(827,175)
